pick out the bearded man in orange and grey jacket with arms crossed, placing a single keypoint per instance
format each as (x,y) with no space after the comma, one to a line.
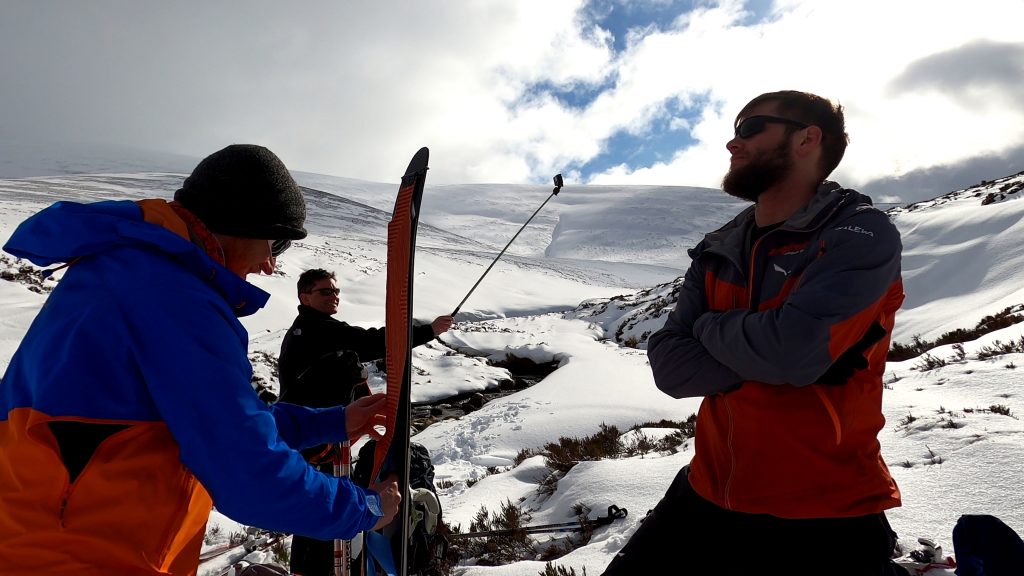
(783,325)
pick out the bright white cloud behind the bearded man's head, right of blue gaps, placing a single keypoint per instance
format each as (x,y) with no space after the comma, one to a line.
(851,53)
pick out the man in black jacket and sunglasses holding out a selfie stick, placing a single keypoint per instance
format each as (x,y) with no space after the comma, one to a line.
(320,366)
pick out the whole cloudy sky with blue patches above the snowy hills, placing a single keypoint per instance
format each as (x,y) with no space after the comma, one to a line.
(605,92)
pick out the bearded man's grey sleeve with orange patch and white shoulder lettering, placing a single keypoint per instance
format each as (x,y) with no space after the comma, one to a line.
(791,345)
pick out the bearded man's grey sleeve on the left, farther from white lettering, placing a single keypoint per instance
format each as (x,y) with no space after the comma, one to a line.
(682,366)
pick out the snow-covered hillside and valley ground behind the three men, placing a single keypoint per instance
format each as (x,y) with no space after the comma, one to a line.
(593,276)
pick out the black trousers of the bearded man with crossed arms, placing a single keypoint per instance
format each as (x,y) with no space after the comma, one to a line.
(686,534)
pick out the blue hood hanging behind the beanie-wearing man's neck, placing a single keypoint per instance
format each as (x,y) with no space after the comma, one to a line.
(70,231)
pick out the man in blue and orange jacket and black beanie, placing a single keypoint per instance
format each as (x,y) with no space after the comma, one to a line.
(127,409)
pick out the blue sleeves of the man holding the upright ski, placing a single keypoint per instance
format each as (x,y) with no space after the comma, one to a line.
(192,354)
